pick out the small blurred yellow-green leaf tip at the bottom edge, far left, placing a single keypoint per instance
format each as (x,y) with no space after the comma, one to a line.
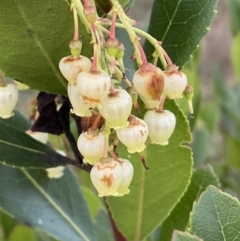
(22,232)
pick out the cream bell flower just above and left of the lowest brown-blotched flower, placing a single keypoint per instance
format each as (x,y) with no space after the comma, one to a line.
(91,145)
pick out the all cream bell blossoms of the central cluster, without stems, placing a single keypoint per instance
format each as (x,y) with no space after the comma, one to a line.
(90,90)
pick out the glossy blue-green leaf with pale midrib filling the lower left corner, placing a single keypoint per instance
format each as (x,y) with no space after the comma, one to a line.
(54,206)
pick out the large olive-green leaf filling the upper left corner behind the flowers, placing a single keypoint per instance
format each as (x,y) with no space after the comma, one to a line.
(35,36)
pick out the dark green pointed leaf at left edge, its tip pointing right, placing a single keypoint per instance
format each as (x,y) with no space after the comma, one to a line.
(20,150)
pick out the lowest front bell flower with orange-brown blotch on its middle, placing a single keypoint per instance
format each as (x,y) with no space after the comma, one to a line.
(106,176)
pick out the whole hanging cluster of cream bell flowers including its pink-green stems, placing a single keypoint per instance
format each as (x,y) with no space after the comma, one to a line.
(96,86)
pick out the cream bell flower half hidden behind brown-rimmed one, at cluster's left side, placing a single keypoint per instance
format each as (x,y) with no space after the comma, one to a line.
(79,107)
